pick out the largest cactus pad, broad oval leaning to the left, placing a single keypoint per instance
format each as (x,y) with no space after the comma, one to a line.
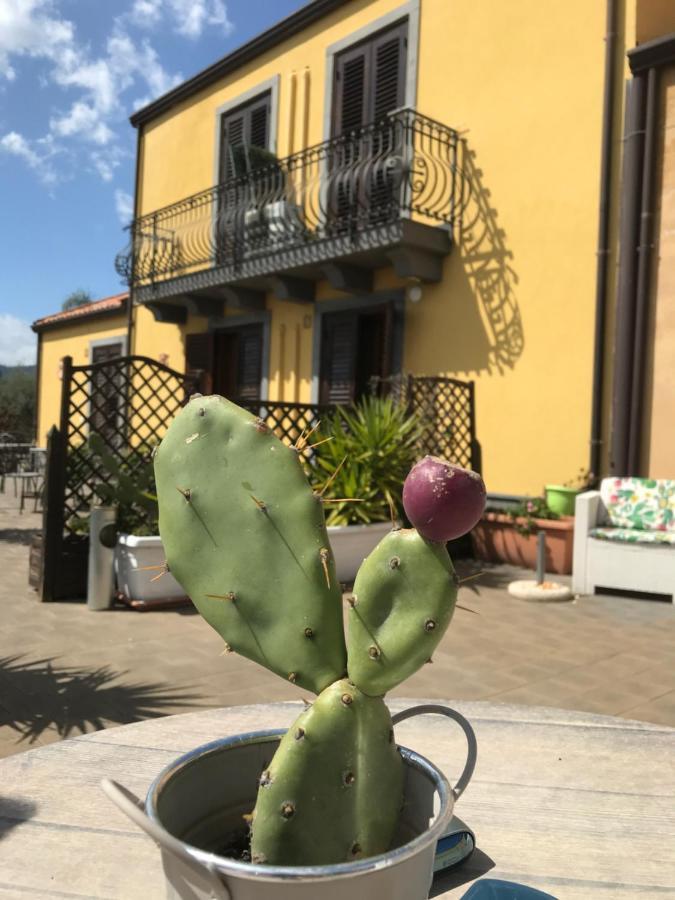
(245,536)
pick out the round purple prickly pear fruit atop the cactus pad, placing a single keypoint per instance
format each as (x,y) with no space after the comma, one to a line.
(442,500)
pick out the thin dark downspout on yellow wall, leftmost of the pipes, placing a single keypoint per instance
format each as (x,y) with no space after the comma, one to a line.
(603,242)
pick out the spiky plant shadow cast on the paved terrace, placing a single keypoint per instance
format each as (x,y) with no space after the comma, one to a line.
(38,695)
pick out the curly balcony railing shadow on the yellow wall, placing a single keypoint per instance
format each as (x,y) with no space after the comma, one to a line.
(488,264)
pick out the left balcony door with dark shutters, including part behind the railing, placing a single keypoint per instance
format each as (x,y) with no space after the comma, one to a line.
(243,131)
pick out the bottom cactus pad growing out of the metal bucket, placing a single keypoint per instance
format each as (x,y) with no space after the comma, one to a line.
(337,766)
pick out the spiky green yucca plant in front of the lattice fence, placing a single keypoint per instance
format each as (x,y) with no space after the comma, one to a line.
(363,452)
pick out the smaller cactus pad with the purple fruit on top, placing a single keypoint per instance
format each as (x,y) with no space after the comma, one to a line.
(404,598)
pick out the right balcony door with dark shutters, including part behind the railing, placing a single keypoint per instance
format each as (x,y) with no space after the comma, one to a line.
(369,83)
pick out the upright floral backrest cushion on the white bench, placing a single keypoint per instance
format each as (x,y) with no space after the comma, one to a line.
(646,504)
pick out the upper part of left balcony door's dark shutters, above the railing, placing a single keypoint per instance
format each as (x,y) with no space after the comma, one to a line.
(243,131)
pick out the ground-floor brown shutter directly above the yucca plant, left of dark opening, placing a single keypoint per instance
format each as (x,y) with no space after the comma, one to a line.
(338,357)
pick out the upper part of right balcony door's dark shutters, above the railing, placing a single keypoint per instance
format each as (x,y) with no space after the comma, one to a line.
(370,79)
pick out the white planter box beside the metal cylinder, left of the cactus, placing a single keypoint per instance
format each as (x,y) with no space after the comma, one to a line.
(133,554)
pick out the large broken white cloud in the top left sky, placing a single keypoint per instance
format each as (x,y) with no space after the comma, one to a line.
(102,83)
